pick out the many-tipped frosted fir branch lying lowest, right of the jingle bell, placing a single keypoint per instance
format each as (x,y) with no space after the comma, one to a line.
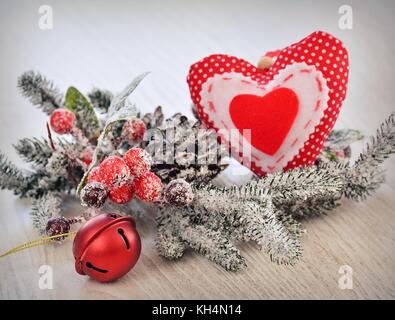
(217,218)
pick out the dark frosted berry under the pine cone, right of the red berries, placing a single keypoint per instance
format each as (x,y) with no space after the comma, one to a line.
(178,192)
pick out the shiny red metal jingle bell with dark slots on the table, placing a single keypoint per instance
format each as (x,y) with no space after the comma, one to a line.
(106,247)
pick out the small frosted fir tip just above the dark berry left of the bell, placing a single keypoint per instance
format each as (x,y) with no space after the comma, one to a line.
(43,209)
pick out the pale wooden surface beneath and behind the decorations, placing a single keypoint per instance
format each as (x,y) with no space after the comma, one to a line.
(107,43)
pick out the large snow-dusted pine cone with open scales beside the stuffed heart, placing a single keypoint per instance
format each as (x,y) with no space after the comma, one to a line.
(185,149)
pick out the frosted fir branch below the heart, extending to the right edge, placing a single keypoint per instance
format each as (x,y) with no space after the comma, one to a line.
(316,190)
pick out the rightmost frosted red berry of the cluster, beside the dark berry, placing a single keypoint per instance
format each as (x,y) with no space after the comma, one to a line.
(147,187)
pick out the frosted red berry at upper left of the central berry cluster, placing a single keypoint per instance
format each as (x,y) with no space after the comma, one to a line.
(114,171)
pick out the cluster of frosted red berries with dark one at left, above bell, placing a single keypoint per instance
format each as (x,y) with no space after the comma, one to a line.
(121,178)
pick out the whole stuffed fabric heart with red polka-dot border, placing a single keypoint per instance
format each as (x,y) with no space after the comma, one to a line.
(282,115)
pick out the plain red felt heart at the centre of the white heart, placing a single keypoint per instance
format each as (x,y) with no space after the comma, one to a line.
(269,117)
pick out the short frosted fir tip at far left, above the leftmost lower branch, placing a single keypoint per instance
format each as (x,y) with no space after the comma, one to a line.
(34,150)
